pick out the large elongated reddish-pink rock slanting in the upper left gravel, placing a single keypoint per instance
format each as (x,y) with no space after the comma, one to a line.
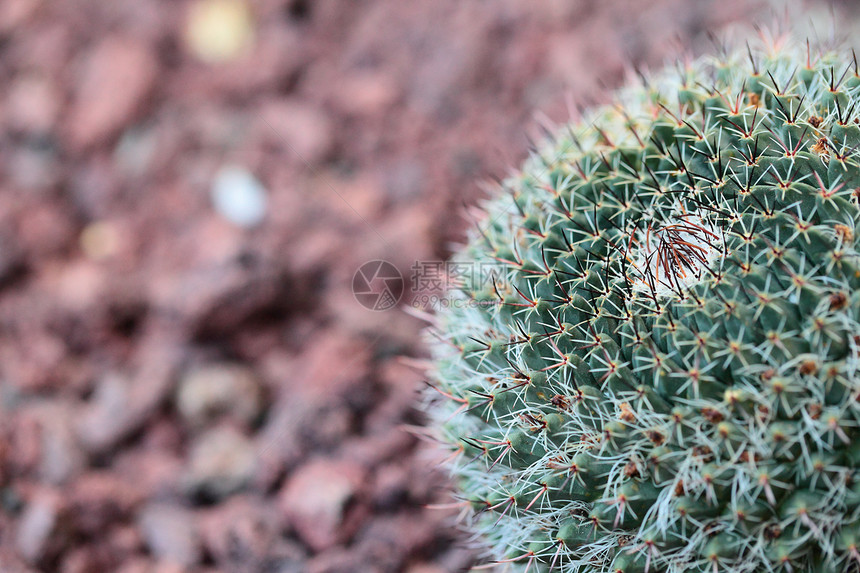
(118,76)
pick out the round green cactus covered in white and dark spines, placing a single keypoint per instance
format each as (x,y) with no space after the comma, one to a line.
(660,374)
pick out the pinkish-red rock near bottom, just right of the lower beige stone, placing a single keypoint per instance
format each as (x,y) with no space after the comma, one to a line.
(315,498)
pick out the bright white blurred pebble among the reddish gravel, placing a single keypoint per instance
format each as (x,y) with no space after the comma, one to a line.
(239,197)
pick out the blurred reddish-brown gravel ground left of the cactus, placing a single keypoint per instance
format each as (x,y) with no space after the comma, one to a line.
(186,189)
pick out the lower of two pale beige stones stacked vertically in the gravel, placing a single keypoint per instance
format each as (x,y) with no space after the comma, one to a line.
(222,462)
